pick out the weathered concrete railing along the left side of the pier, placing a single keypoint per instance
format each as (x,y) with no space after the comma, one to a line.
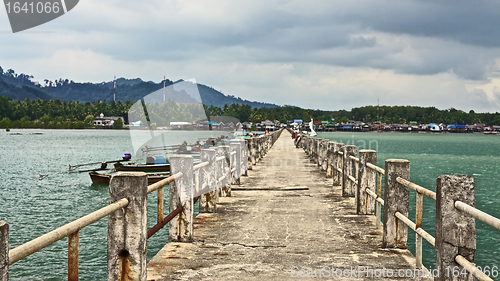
(127,211)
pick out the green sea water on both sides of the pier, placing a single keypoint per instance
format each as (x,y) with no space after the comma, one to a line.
(33,207)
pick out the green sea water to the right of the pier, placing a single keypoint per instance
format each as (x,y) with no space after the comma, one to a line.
(435,154)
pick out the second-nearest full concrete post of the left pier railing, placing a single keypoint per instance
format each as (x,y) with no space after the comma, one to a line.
(180,228)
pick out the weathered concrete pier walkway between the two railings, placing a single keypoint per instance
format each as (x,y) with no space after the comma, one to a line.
(273,234)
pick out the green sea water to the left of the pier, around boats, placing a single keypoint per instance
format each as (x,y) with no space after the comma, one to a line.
(33,207)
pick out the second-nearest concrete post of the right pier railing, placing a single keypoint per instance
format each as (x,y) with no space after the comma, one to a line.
(396,199)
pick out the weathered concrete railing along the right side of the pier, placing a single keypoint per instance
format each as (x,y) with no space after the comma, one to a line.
(455,240)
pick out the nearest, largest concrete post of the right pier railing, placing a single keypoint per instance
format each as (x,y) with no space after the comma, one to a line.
(455,231)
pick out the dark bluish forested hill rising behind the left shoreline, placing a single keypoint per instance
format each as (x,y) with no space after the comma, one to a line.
(21,86)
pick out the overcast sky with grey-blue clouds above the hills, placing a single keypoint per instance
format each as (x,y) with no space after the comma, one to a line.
(326,55)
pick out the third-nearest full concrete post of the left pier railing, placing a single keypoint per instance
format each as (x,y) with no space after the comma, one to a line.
(208,174)
